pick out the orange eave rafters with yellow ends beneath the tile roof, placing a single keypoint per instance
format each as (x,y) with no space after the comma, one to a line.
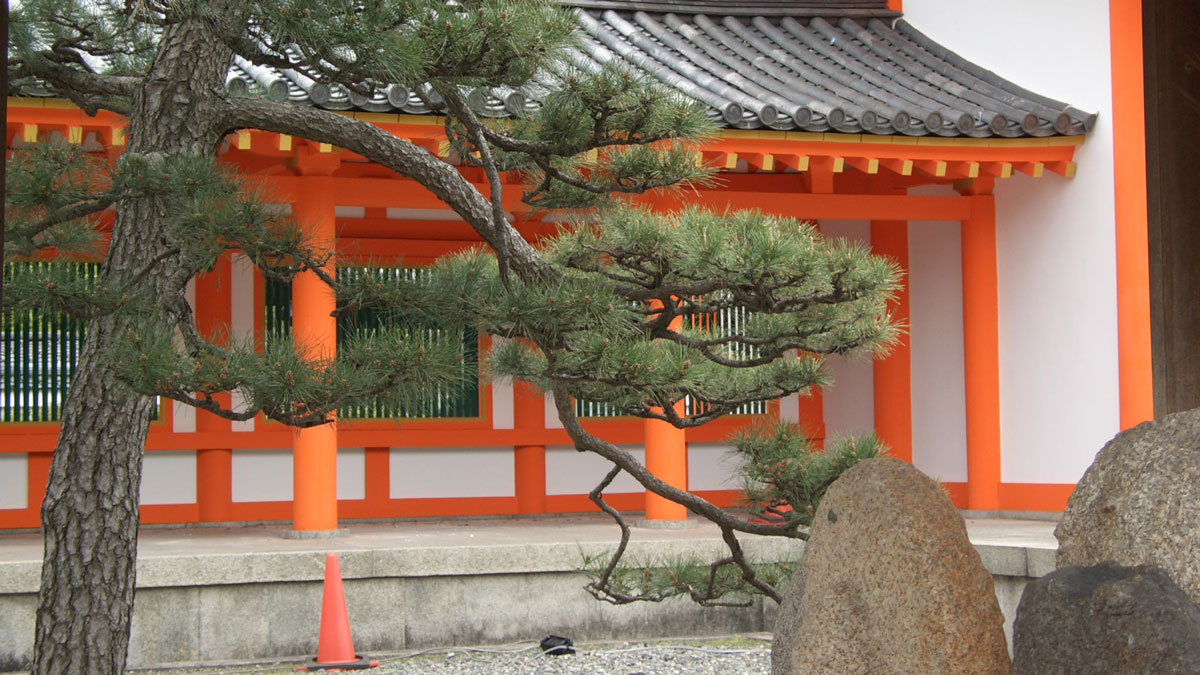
(751,163)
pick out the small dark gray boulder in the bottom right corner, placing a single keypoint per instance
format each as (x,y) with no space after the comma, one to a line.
(1106,619)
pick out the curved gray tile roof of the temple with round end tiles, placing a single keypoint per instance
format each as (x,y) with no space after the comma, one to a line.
(766,64)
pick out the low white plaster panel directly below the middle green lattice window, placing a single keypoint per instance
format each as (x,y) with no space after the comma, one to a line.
(452,473)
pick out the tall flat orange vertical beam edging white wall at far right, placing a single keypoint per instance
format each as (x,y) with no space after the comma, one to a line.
(1135,366)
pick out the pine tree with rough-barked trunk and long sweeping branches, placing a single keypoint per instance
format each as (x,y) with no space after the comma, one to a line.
(593,315)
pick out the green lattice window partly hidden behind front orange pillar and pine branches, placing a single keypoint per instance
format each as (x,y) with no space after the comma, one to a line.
(460,401)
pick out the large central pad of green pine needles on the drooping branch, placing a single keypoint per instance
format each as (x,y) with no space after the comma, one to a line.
(599,334)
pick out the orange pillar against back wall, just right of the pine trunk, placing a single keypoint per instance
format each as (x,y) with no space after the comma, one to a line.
(214,467)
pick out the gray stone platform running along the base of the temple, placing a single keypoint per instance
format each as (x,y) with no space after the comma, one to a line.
(229,594)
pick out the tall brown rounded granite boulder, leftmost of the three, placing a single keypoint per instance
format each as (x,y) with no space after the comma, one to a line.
(891,586)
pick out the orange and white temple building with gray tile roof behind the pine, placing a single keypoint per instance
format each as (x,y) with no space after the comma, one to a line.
(999,154)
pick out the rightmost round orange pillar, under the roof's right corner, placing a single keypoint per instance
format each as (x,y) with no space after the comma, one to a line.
(981,348)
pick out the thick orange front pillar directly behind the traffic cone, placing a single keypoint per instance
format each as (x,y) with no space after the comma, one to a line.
(315,450)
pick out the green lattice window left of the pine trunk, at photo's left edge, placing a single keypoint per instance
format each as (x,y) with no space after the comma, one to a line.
(39,353)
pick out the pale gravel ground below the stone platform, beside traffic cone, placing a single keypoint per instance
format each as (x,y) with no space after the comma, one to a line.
(727,656)
